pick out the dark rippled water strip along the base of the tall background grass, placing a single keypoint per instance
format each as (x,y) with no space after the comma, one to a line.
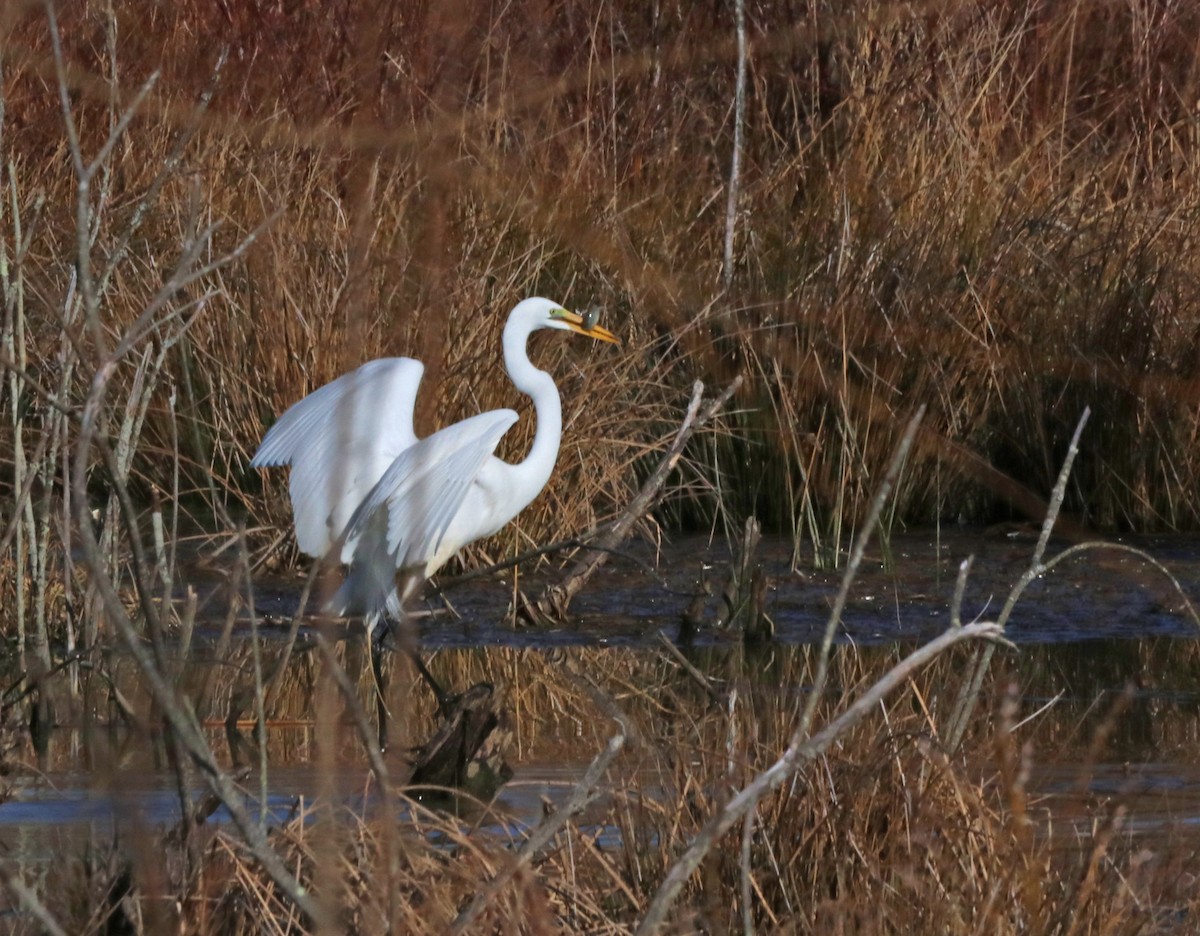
(902,593)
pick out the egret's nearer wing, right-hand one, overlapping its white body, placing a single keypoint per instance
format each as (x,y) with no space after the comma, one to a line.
(427,487)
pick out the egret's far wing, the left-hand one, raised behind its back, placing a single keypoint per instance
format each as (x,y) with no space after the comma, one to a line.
(340,441)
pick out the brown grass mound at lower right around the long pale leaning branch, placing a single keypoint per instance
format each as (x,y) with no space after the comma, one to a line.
(885,835)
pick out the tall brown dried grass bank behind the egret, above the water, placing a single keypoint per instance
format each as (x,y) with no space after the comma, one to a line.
(980,209)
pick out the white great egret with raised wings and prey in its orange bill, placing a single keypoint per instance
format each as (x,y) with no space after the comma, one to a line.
(364,484)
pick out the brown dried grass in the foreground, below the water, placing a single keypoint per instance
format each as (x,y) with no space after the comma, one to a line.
(885,836)
